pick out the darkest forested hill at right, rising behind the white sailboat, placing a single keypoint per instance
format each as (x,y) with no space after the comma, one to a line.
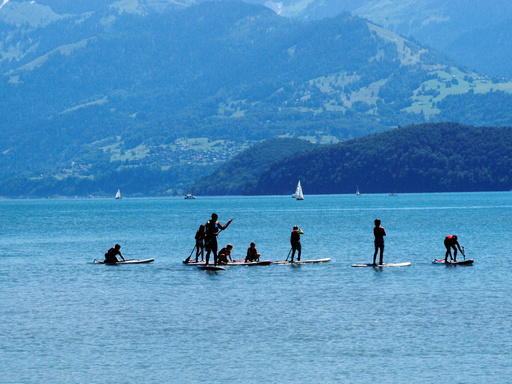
(442,157)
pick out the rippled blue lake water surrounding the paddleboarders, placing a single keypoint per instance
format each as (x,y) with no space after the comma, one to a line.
(66,320)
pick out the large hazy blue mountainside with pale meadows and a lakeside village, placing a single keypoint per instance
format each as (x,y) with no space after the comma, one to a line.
(171,89)
